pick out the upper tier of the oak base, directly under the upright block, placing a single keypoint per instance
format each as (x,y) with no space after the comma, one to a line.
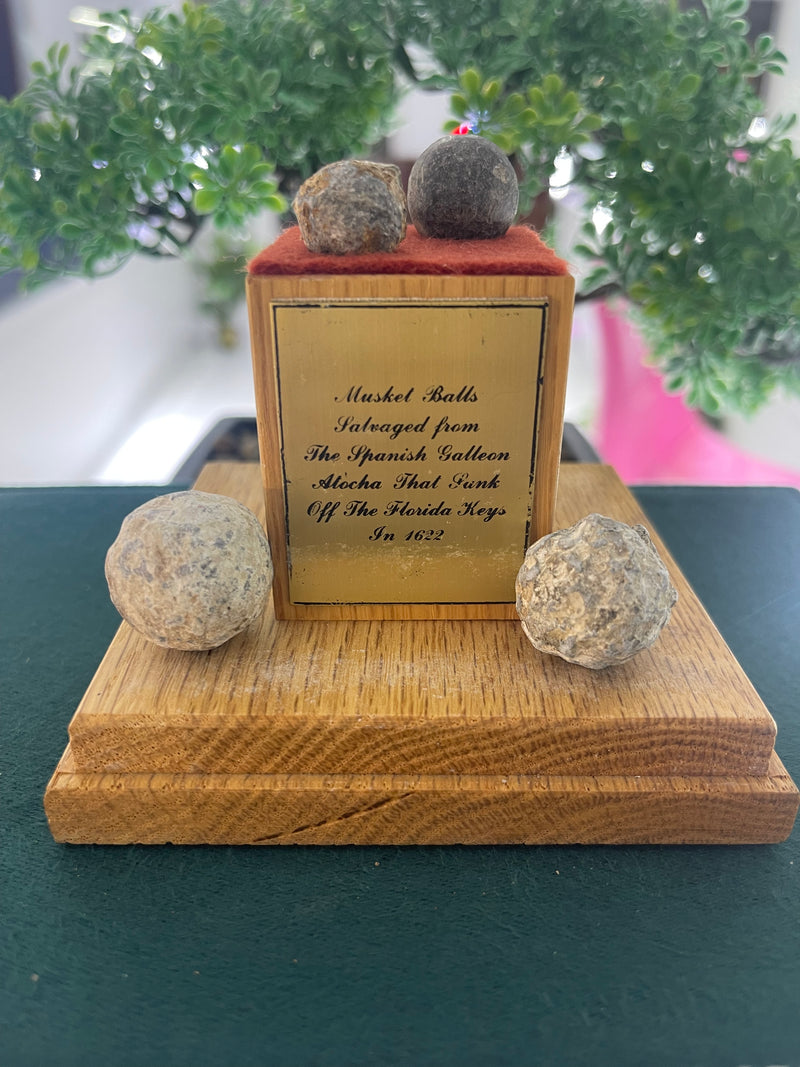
(425,697)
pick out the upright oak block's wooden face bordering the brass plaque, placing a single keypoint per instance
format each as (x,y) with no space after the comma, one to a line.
(264,291)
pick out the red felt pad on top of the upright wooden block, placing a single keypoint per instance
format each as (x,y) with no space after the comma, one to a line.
(520,252)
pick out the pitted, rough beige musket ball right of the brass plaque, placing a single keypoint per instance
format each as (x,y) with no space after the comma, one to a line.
(596,595)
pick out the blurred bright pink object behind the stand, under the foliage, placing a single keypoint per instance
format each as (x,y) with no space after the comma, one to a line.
(650,436)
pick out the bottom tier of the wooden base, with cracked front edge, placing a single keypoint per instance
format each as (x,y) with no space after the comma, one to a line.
(418,809)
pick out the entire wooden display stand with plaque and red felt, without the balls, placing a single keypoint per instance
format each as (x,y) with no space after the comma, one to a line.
(410,427)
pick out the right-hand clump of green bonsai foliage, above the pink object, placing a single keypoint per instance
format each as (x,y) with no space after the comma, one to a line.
(693,199)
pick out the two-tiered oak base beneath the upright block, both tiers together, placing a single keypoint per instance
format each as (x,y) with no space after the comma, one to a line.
(423,732)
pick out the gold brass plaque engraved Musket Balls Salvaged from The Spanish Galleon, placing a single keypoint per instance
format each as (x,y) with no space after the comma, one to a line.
(408,435)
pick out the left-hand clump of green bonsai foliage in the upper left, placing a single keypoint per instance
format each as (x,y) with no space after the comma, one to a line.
(218,110)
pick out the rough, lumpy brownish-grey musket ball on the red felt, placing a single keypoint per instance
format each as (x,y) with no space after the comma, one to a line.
(351,208)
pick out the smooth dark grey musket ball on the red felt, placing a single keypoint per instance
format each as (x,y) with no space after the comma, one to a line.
(463,187)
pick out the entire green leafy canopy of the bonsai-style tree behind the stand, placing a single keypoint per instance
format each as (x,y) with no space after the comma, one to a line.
(220,112)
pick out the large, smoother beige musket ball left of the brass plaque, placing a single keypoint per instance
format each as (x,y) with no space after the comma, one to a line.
(190,570)
